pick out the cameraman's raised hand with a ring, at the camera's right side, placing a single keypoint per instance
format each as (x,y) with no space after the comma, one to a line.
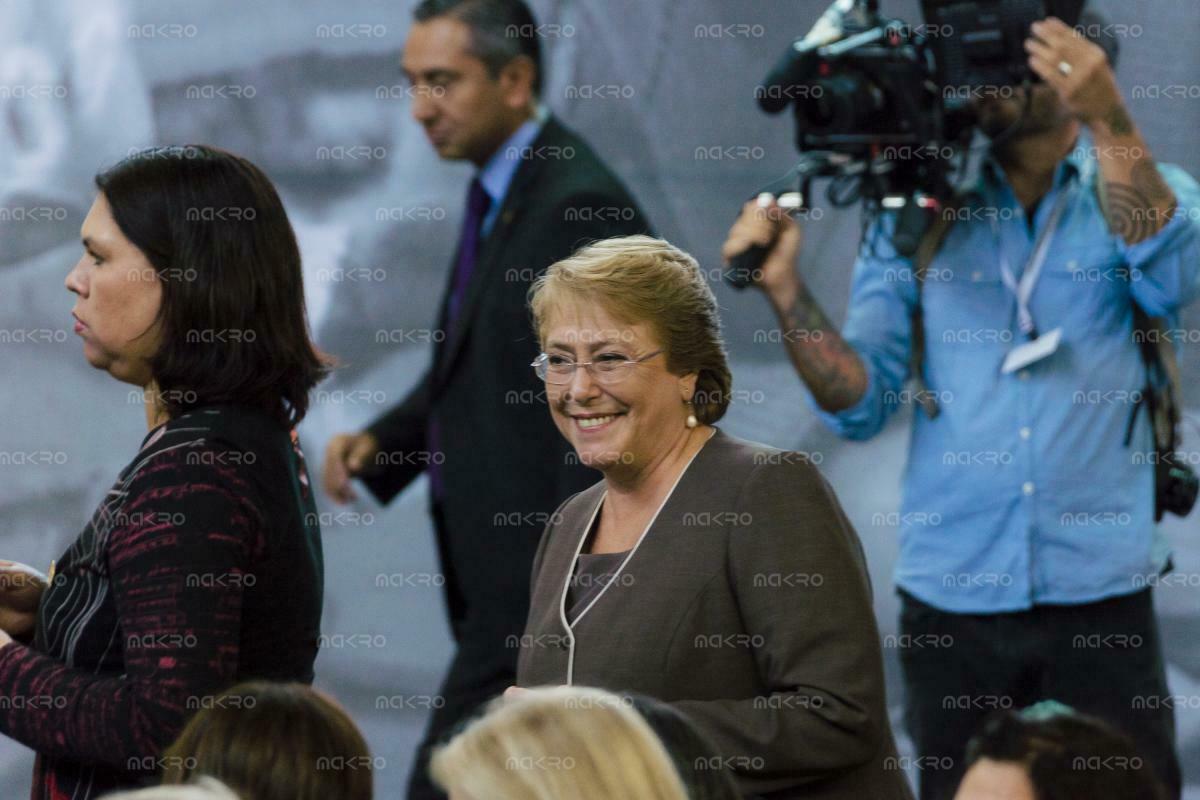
(1079,71)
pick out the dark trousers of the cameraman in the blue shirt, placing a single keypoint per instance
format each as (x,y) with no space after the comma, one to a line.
(1096,658)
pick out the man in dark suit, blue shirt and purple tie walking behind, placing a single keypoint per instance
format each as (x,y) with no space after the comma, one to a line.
(477,422)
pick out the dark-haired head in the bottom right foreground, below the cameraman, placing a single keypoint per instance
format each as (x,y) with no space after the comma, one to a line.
(1052,753)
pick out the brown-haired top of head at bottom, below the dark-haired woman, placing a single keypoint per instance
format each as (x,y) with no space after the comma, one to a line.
(274,742)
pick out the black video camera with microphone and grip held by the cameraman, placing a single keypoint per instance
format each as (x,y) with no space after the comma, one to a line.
(885,110)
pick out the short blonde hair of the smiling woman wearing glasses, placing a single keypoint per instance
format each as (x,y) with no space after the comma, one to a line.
(647,280)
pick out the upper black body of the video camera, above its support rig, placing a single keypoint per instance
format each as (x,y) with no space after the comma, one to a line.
(860,82)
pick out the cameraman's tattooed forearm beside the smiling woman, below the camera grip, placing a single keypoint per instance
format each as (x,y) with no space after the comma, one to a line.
(830,368)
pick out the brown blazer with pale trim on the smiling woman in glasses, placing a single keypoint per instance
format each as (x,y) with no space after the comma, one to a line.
(748,607)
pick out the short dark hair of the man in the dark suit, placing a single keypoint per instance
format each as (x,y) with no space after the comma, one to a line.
(501,31)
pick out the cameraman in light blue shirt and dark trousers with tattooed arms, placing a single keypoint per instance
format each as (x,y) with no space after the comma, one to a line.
(1028,525)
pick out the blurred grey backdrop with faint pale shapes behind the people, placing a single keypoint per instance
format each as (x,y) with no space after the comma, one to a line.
(85,81)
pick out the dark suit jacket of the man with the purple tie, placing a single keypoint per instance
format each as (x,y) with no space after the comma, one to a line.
(506,466)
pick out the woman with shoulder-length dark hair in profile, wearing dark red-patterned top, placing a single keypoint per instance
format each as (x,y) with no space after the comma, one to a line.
(202,566)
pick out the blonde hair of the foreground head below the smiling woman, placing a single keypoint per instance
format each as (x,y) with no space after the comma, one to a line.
(561,743)
